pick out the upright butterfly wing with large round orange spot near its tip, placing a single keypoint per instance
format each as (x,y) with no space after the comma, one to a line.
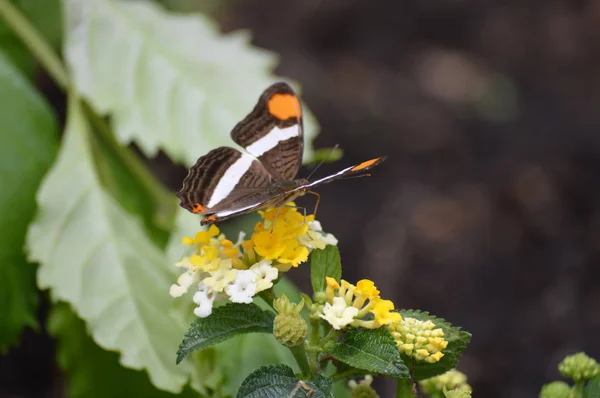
(272,132)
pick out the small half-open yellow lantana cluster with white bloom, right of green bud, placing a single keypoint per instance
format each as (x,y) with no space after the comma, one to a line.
(357,305)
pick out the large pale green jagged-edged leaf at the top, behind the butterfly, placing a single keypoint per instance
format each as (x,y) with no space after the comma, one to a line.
(169,81)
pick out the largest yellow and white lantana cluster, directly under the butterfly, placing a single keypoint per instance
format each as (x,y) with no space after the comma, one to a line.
(220,270)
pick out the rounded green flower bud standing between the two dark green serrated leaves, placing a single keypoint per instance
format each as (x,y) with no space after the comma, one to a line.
(289,328)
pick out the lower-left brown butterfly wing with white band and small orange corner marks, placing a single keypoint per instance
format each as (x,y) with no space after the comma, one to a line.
(225,182)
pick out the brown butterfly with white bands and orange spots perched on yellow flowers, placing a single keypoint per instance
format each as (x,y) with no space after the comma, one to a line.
(227,182)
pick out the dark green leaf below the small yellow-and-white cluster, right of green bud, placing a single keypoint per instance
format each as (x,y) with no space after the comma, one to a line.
(372,350)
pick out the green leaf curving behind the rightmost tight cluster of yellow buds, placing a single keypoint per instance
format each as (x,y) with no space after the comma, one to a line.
(457,342)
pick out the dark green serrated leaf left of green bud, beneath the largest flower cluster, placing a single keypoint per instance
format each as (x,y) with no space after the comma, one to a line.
(224,323)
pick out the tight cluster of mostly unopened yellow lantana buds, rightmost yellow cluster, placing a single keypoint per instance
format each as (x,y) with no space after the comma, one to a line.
(419,339)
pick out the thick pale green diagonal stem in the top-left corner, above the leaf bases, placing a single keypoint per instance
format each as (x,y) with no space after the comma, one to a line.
(36,43)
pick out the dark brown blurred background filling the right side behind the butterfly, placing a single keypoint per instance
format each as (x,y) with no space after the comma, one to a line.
(487,211)
